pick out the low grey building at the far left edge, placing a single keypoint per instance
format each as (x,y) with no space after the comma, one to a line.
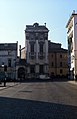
(8,56)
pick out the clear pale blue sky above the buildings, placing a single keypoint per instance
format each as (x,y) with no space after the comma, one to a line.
(16,14)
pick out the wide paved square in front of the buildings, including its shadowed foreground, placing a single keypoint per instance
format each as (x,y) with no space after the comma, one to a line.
(39,100)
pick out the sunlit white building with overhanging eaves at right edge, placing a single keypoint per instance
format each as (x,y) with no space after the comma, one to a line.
(72,45)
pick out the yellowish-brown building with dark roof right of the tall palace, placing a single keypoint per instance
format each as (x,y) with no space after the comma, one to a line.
(58,61)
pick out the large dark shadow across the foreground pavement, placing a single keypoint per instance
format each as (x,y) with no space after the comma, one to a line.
(11,108)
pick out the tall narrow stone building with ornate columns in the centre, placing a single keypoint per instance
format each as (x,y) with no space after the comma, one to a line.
(36,43)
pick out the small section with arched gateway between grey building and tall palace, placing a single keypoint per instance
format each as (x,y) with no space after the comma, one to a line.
(21,66)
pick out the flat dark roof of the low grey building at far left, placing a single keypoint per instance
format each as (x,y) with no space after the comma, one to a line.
(8,46)
